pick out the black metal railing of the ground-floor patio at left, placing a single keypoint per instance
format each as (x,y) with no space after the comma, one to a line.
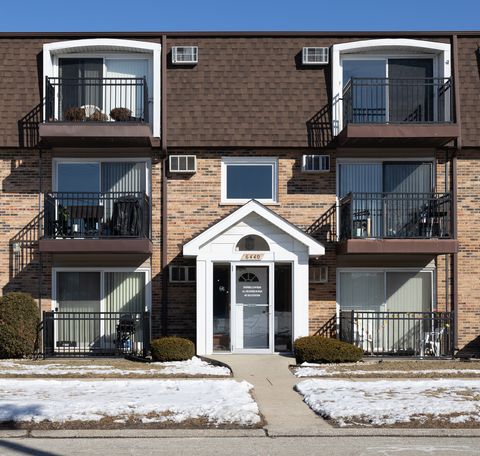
(95,333)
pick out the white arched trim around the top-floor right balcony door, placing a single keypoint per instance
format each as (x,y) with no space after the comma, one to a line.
(382,48)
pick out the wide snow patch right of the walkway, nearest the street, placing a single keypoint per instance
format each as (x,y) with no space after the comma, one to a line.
(394,401)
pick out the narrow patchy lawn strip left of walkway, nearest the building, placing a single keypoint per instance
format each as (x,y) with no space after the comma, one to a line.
(108,368)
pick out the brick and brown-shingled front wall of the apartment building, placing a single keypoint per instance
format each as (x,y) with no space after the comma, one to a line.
(248,96)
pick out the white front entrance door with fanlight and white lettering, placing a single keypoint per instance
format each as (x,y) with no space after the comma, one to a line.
(252,321)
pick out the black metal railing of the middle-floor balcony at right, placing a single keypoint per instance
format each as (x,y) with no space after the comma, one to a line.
(395,215)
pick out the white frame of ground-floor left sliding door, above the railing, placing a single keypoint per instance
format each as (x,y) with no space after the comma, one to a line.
(102,271)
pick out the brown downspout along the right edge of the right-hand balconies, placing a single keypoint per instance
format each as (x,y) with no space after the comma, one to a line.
(458,147)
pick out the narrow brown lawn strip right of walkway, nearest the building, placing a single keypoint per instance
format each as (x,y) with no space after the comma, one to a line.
(392,369)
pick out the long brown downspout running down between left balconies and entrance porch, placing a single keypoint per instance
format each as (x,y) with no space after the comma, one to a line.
(164,216)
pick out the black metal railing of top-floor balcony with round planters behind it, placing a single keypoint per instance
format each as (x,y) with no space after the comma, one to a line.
(96,100)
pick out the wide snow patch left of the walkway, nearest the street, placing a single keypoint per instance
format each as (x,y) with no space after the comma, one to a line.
(218,401)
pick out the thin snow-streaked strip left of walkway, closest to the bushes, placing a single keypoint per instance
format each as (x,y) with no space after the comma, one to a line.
(194,366)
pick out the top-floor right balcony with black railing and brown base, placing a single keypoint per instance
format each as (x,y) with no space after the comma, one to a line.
(398,112)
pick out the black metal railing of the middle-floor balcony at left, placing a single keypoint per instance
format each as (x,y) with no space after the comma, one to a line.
(96,215)
